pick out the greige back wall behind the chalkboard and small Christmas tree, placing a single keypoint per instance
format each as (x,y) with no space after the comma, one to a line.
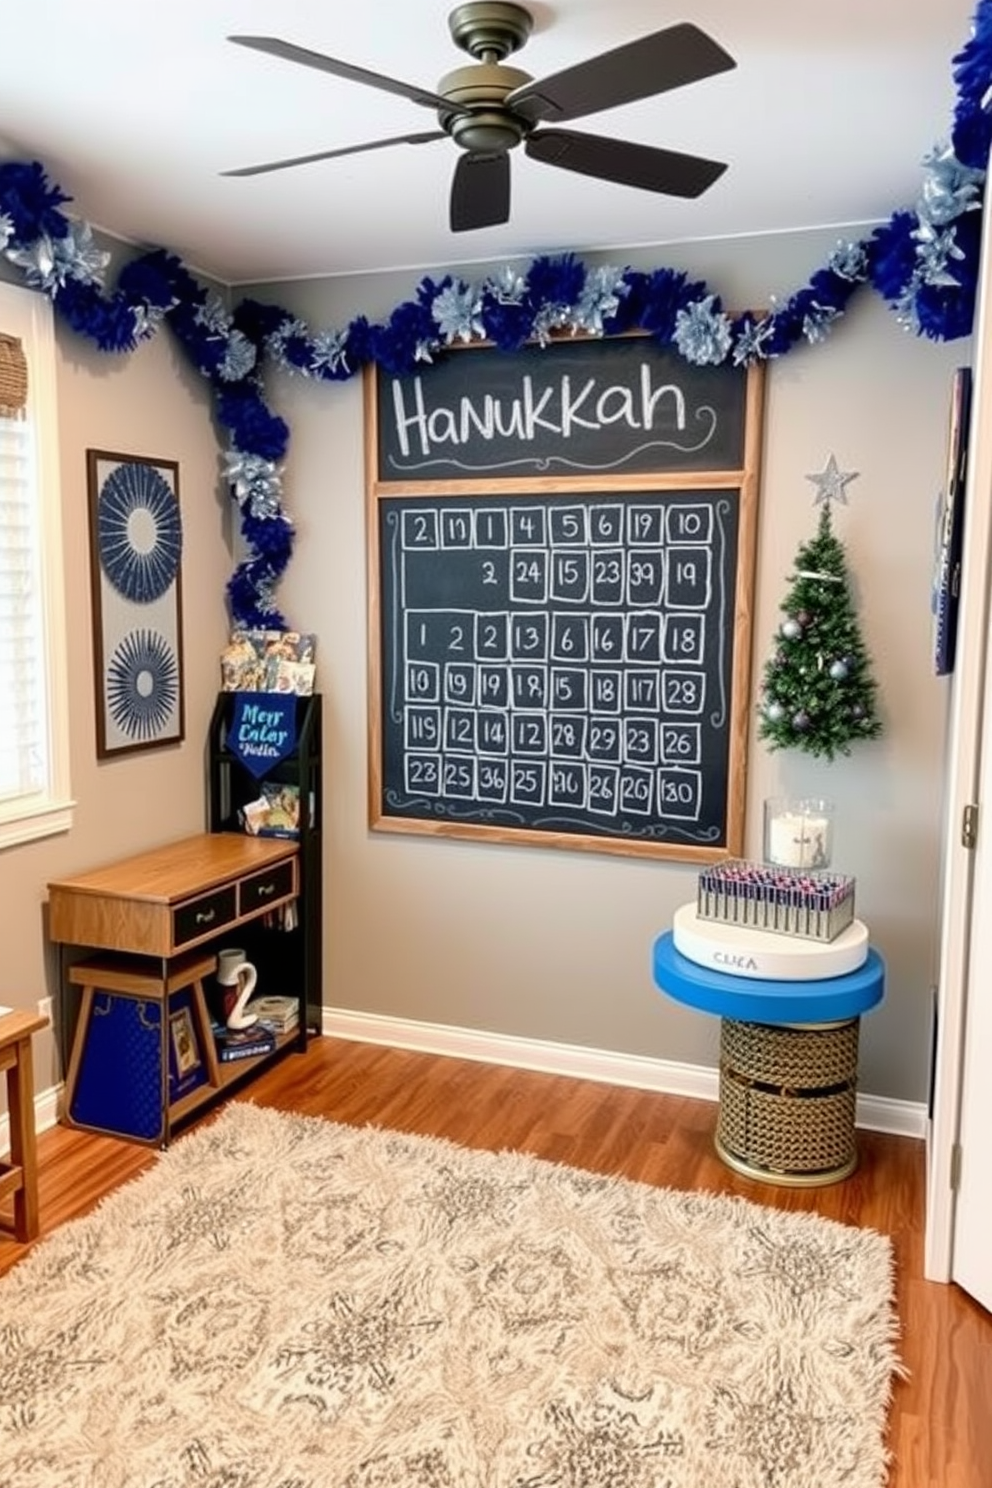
(557,946)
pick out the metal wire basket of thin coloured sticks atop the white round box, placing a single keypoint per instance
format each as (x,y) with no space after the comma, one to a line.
(786,901)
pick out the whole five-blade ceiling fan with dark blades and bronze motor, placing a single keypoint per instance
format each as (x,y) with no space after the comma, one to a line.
(489,109)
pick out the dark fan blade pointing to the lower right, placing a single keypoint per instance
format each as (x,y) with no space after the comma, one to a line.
(625,163)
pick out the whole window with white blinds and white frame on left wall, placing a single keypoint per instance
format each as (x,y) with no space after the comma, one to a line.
(35,794)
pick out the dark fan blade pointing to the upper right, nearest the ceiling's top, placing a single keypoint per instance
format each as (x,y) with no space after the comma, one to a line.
(682,54)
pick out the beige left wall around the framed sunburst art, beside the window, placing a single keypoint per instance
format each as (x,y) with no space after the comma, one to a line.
(146,404)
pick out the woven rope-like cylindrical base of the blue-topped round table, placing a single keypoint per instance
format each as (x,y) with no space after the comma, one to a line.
(788,1102)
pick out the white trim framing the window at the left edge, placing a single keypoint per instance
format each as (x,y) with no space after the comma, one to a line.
(26,819)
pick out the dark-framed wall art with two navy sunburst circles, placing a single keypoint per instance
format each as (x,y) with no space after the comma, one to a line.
(136,542)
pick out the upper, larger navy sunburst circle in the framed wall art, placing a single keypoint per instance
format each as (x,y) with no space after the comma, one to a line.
(139,532)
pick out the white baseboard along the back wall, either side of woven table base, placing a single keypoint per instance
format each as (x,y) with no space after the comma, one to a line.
(666,1077)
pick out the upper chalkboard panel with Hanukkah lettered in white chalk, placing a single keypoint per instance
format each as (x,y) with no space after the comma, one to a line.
(582,407)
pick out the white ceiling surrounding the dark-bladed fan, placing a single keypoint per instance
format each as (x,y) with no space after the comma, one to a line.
(136,111)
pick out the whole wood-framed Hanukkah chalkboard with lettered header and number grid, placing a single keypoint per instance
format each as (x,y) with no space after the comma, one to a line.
(563,660)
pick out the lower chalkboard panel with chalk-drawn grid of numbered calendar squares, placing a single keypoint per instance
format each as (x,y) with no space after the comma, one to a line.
(554,663)
